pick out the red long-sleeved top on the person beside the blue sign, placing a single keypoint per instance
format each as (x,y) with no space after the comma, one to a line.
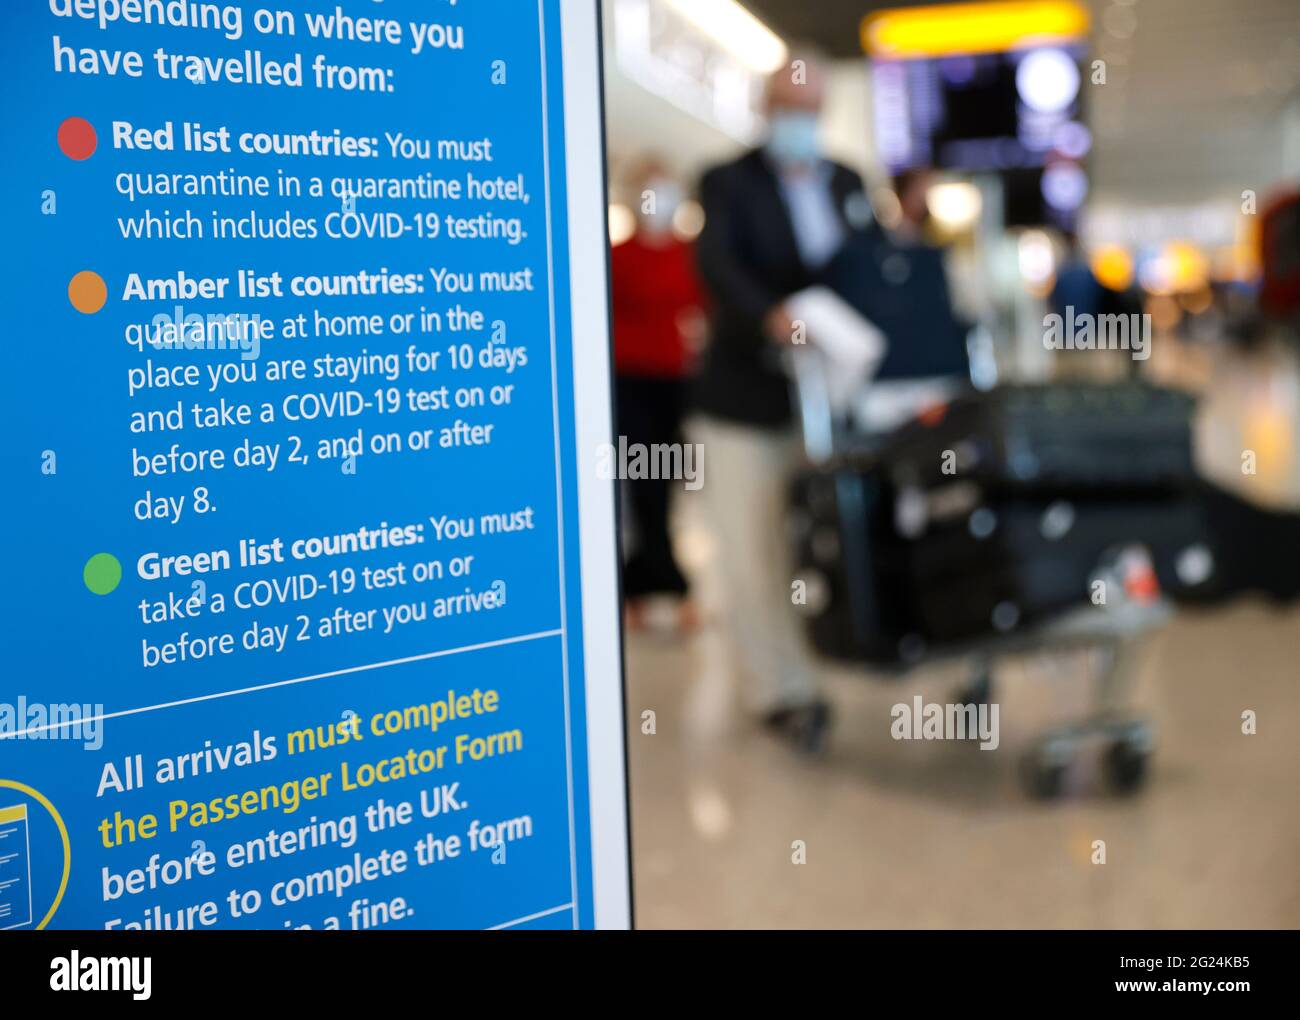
(655,292)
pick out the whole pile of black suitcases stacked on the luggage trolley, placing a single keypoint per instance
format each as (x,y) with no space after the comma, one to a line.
(993,516)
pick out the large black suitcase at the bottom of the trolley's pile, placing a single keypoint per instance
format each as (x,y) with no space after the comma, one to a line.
(982,568)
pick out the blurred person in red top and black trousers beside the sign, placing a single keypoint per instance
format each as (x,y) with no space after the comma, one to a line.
(657,315)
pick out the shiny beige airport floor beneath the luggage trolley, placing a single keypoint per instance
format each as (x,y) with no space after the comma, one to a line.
(939,834)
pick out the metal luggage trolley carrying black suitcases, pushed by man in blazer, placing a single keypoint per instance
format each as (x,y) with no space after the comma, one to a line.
(830,529)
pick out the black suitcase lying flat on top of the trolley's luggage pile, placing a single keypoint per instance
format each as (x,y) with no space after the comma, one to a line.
(1059,437)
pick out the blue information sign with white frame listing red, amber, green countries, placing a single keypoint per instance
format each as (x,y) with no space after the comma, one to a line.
(309,615)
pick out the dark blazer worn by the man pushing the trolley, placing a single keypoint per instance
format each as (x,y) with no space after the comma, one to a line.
(751,262)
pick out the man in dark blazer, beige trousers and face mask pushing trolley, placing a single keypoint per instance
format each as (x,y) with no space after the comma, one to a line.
(773,220)
